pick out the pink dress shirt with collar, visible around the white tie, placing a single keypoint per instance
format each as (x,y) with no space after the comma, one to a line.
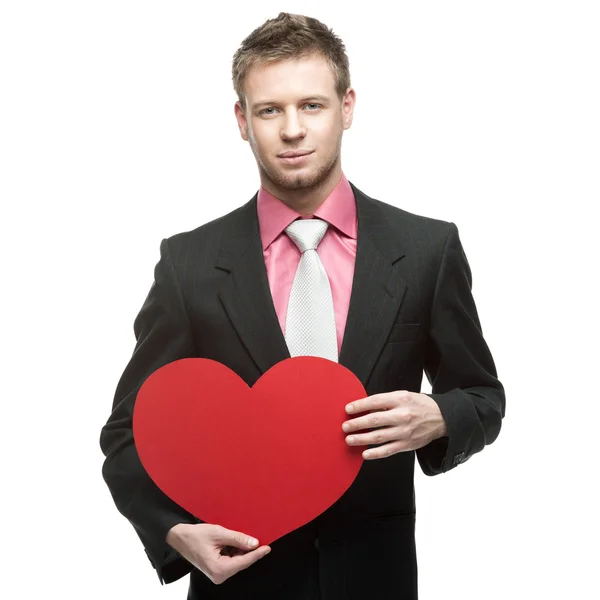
(337,249)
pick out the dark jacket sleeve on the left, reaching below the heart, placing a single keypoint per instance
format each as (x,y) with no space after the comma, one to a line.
(163,334)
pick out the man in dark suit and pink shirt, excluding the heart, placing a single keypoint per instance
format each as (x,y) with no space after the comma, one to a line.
(396,300)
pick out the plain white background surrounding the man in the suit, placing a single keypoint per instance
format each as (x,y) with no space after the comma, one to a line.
(117,129)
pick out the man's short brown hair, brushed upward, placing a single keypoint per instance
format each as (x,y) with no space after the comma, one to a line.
(290,36)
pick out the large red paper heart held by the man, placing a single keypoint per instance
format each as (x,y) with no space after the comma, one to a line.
(263,460)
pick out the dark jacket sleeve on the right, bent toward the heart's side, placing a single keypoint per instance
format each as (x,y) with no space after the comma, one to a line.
(459,367)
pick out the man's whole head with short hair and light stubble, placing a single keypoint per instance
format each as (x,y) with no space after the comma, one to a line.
(291,76)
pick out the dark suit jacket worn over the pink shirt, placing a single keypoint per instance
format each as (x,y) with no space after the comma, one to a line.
(411,310)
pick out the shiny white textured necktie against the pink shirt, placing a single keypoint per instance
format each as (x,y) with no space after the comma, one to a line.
(310,323)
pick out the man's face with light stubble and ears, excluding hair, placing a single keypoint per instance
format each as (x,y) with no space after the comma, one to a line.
(292,106)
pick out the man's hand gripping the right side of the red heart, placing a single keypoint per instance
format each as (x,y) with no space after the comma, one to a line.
(405,420)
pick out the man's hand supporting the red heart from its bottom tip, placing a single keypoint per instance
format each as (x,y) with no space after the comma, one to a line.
(218,552)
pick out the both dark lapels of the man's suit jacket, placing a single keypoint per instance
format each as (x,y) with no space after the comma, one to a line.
(377,289)
